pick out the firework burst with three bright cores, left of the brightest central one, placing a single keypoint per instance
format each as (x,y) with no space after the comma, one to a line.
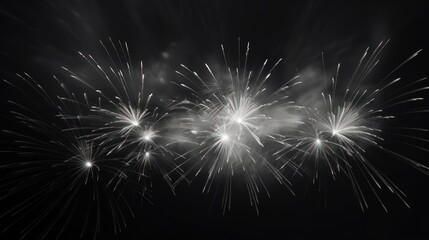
(125,124)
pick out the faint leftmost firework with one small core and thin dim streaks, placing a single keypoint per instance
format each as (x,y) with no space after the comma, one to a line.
(59,175)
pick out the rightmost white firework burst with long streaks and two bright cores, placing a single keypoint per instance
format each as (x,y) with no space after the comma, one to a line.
(352,119)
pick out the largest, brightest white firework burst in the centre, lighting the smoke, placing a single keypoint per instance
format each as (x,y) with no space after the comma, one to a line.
(229,121)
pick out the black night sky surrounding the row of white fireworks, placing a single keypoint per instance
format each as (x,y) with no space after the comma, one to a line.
(40,36)
